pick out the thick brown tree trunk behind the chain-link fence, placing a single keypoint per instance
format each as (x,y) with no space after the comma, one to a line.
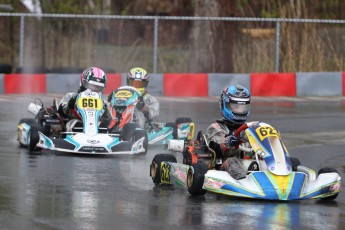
(212,40)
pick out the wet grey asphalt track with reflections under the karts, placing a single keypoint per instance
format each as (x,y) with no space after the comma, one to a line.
(56,191)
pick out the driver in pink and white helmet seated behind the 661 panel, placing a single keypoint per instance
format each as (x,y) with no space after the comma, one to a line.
(94,79)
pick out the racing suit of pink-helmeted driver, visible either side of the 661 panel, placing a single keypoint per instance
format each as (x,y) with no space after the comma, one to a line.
(66,110)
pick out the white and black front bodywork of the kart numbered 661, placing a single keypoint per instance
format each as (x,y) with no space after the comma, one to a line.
(88,136)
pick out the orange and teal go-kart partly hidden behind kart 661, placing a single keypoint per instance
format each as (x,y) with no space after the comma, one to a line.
(123,103)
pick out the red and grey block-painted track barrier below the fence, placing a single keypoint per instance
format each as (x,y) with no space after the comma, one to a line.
(189,85)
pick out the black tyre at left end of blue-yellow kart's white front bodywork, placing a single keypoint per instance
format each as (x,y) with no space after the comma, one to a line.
(195,178)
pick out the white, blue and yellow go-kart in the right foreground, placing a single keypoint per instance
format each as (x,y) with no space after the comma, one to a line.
(271,173)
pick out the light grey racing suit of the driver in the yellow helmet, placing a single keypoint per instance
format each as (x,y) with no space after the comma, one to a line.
(147,109)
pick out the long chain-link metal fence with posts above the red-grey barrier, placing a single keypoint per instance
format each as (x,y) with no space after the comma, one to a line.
(53,43)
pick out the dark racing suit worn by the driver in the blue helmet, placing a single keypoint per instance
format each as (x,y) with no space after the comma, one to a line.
(216,134)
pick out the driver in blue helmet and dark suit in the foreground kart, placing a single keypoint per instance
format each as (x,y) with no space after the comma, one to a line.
(234,106)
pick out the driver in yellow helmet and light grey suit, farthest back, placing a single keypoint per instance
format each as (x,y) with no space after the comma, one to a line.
(148,106)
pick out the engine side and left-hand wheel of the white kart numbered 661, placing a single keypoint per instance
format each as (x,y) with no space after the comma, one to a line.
(46,120)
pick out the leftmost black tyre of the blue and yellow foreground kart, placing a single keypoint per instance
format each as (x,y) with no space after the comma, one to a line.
(155,167)
